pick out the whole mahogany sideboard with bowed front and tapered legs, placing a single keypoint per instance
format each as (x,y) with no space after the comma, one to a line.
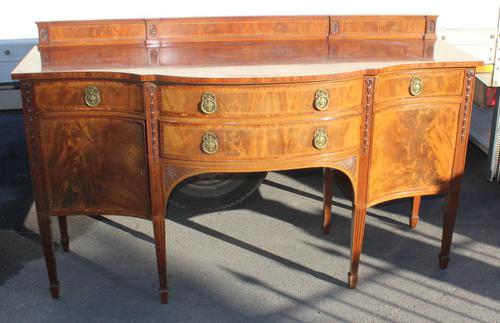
(117,112)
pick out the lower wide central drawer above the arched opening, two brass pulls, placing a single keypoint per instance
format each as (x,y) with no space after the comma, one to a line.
(246,142)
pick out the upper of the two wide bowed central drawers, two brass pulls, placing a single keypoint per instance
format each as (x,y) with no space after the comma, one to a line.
(254,100)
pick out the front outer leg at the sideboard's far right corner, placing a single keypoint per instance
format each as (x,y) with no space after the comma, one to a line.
(450,214)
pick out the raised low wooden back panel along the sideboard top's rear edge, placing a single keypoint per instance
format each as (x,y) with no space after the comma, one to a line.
(164,31)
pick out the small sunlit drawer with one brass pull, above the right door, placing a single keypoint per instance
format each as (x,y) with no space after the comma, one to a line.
(419,83)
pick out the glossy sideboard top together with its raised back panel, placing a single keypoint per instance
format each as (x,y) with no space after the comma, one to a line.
(238,50)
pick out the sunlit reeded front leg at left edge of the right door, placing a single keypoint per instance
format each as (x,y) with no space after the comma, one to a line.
(357,234)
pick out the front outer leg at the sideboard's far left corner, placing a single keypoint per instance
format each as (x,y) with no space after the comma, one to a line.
(48,251)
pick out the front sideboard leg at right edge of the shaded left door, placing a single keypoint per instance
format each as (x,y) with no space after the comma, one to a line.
(161,255)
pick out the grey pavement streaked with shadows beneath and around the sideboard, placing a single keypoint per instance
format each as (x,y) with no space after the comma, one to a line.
(265,260)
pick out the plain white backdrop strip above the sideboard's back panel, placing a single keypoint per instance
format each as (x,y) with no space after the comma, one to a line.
(17,17)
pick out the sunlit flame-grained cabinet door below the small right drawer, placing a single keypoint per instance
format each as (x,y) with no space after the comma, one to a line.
(412,150)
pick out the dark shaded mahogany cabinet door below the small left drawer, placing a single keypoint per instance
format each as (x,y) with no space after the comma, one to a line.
(95,165)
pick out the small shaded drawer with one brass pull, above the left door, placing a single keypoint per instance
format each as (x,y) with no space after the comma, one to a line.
(53,96)
